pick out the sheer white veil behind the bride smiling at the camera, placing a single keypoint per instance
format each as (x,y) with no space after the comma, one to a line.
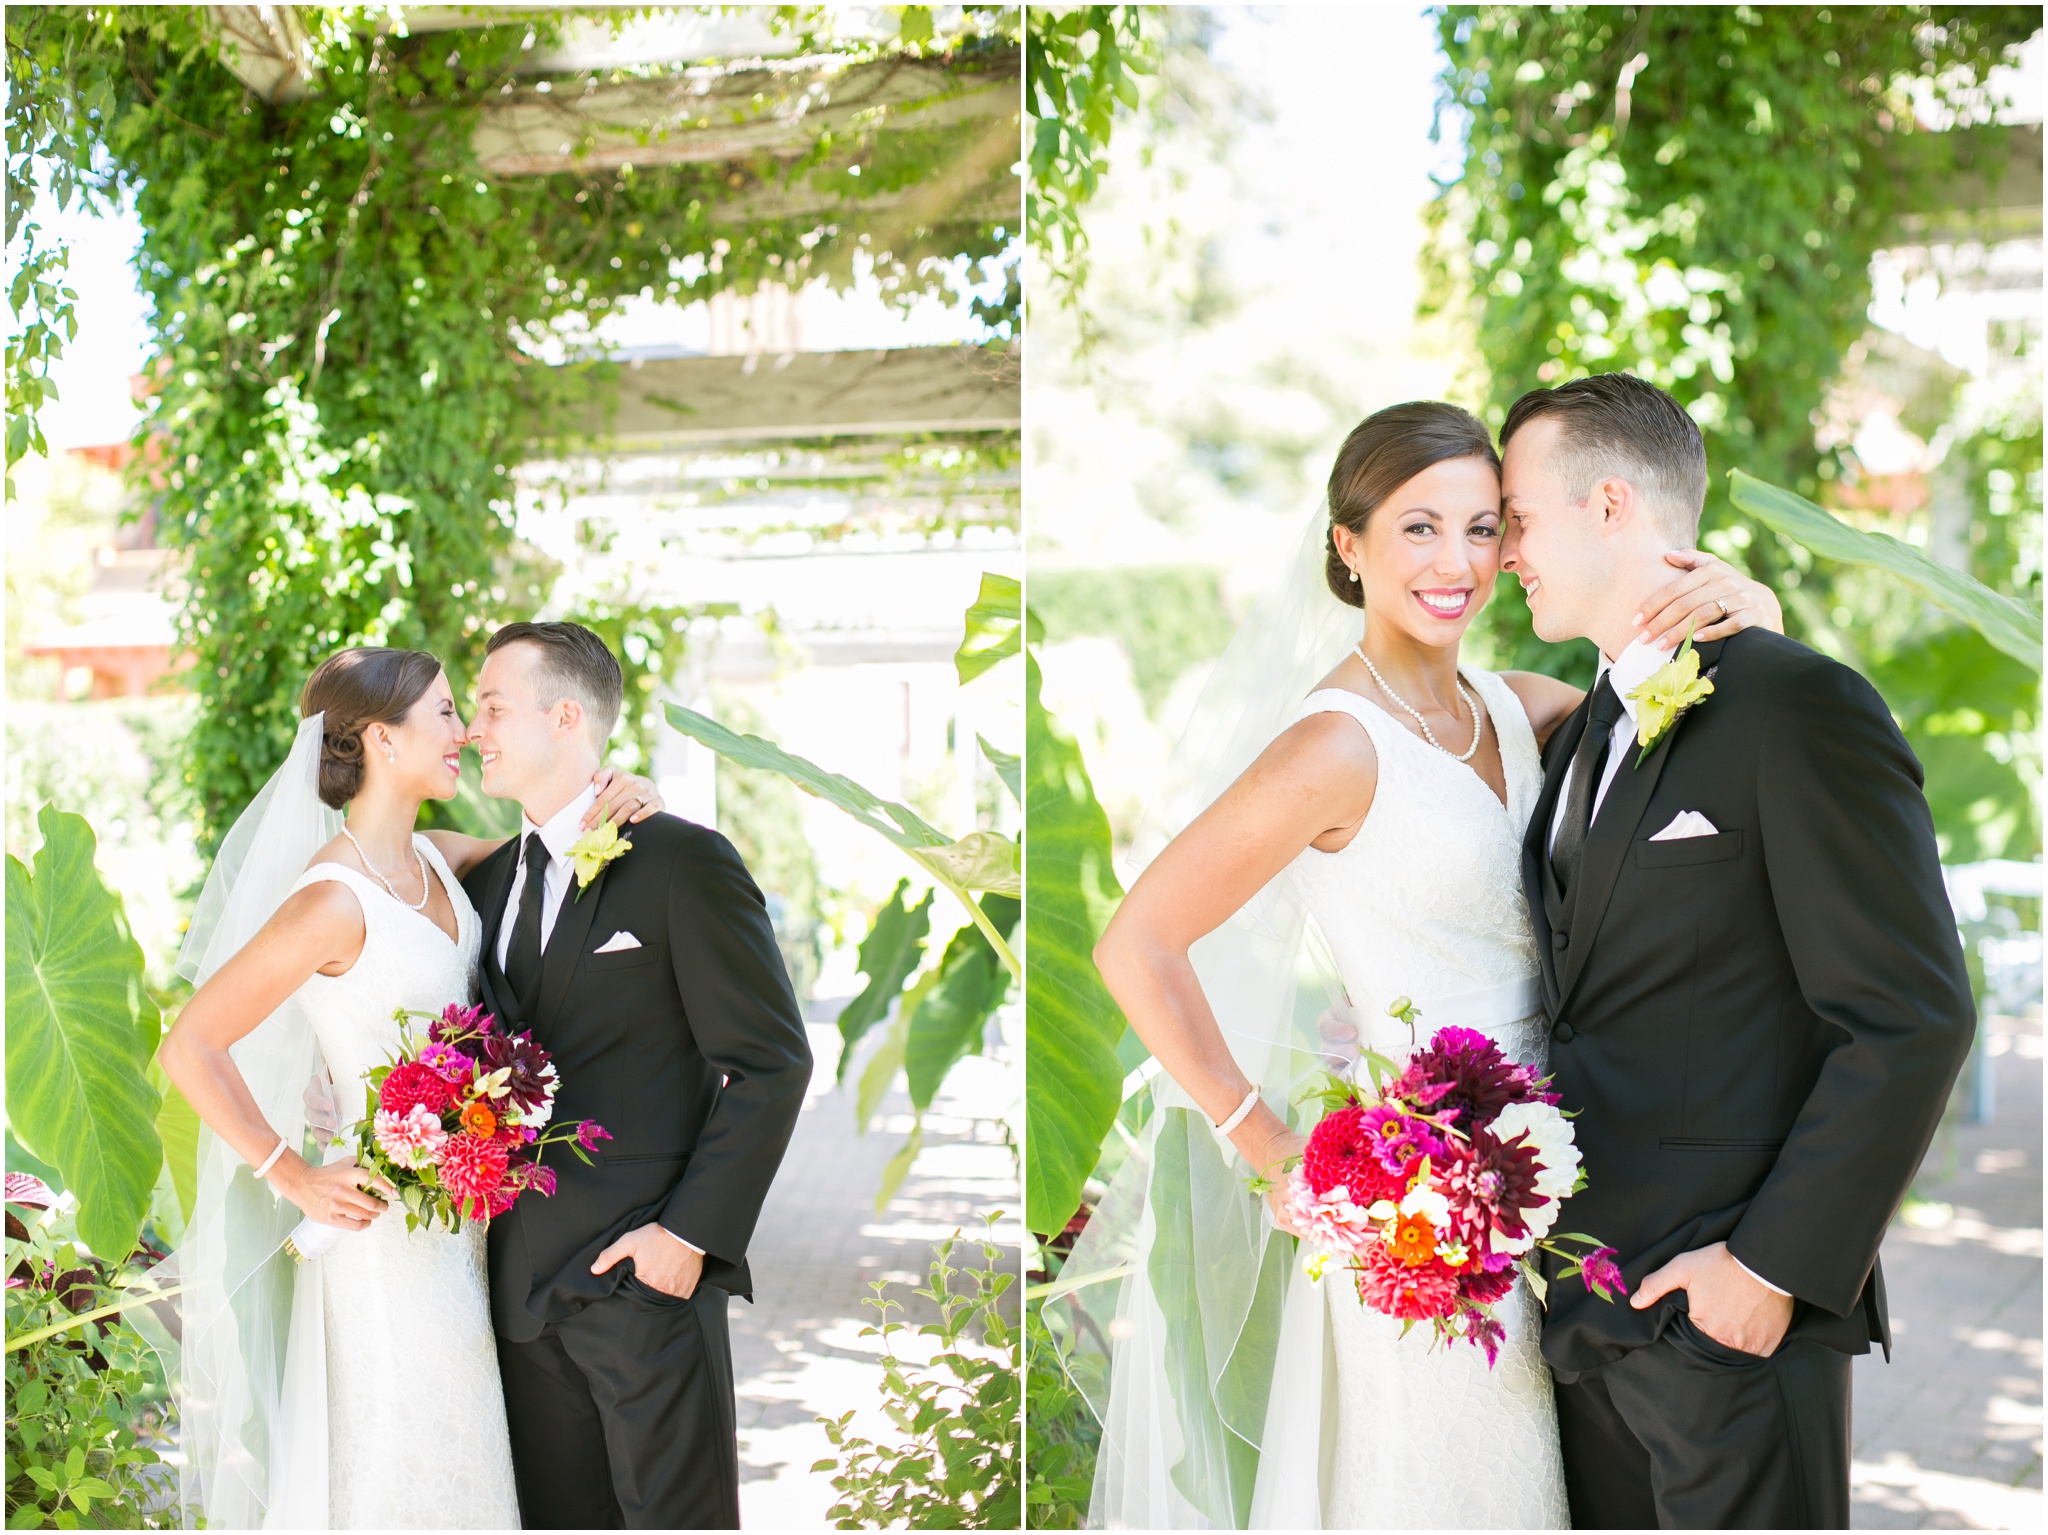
(1177,1297)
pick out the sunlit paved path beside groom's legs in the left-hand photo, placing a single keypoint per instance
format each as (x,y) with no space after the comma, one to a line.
(798,1352)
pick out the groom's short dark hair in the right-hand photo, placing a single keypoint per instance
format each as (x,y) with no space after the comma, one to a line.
(1619,427)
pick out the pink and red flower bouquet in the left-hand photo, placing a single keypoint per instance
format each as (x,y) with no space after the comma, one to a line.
(458,1125)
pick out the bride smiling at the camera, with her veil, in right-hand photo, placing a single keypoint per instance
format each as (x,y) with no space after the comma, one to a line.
(1394,799)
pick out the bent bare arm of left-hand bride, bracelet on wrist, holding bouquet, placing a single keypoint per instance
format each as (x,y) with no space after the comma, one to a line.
(318,928)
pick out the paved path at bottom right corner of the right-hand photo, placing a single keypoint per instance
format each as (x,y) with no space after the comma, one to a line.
(1951,1434)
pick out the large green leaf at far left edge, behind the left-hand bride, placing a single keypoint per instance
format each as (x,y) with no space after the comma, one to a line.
(81,1033)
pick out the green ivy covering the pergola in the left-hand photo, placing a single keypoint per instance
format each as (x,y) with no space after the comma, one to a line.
(353,318)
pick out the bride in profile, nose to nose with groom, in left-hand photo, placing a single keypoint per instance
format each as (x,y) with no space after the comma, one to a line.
(357,1391)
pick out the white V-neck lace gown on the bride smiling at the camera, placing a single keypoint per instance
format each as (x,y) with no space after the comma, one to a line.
(1426,904)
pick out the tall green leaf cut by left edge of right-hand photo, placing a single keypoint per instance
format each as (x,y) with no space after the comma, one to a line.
(1070,1020)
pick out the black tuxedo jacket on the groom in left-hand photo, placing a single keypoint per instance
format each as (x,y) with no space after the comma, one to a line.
(689,1049)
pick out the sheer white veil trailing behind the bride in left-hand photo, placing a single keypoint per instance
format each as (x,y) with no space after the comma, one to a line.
(247,1346)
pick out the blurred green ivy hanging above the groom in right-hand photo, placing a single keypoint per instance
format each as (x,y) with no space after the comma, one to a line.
(1695,193)
